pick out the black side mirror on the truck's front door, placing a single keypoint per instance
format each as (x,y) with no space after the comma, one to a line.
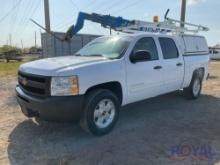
(140,56)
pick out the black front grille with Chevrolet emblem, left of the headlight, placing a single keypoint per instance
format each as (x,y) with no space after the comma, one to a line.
(34,84)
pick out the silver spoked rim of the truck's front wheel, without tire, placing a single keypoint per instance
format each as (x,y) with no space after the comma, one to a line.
(104,113)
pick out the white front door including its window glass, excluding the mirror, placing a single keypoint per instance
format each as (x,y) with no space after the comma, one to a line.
(144,78)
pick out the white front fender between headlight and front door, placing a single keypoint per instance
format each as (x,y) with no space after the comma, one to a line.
(107,71)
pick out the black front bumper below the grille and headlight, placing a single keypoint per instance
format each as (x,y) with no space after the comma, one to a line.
(62,108)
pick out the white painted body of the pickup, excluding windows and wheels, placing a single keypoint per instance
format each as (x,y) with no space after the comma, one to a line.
(139,81)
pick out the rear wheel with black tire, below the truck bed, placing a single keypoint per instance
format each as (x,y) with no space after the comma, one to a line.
(189,92)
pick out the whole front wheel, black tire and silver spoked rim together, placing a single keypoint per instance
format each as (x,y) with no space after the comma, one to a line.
(101,112)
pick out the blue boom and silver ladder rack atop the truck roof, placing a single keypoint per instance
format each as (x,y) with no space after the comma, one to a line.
(131,26)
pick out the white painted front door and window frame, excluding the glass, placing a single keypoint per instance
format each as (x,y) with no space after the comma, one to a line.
(143,81)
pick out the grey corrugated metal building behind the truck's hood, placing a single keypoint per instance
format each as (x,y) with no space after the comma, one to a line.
(53,47)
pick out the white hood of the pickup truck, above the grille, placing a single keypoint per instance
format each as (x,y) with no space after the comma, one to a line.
(52,66)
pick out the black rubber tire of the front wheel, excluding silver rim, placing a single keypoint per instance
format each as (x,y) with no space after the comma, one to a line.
(93,98)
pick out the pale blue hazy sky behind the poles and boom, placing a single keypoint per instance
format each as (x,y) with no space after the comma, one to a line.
(15,16)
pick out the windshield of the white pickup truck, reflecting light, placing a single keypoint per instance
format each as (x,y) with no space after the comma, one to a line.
(108,47)
